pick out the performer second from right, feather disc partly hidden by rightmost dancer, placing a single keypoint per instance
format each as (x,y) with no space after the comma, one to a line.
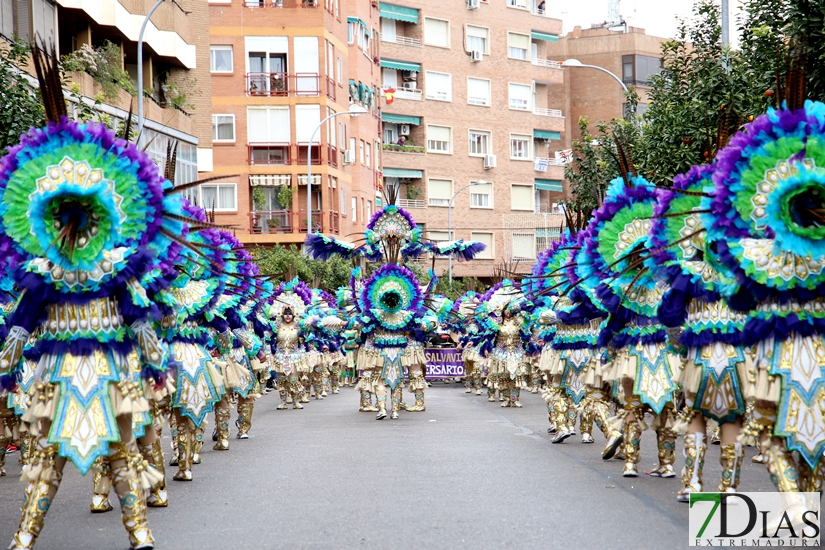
(716,361)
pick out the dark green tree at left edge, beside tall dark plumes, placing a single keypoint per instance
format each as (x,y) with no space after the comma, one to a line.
(20,105)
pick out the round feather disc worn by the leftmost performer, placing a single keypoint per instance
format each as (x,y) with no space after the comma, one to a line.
(83,208)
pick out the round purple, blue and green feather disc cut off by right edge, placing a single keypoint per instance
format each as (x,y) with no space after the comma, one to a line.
(767,213)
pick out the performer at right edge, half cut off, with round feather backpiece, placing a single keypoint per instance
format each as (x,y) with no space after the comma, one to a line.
(764,221)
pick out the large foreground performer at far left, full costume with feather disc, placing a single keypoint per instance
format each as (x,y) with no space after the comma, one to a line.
(88,214)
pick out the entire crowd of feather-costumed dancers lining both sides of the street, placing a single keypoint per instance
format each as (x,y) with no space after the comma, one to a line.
(124,310)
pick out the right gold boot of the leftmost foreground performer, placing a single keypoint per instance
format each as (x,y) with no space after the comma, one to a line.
(123,459)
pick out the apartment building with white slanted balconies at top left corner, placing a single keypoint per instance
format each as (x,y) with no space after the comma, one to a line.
(174,52)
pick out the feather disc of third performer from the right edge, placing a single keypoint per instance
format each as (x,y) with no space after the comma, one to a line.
(615,244)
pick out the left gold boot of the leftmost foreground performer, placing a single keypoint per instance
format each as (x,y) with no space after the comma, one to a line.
(42,481)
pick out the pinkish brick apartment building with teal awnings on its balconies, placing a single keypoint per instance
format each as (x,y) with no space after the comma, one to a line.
(472,119)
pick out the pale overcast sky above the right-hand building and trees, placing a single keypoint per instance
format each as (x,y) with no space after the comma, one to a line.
(657,17)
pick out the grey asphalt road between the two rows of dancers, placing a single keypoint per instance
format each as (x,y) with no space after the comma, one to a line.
(464,474)
